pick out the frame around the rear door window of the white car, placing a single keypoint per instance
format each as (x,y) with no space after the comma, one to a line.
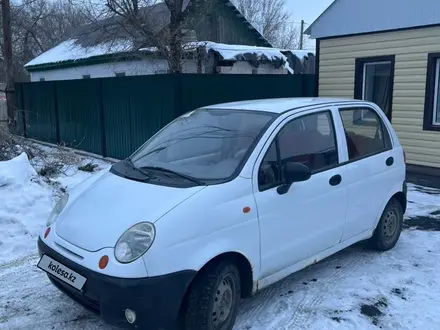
(388,142)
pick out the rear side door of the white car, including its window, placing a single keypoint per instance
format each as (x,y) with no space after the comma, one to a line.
(371,170)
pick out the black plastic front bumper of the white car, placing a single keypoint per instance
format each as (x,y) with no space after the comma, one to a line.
(156,300)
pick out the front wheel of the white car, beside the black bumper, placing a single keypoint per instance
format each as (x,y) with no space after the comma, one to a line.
(212,302)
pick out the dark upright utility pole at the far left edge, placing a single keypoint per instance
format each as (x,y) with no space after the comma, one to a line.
(7,54)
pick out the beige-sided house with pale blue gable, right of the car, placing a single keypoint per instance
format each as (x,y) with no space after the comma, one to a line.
(390,56)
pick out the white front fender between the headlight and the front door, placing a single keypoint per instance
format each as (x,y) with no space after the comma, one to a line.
(206,226)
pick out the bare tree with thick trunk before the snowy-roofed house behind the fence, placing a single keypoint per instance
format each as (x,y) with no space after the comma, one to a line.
(162,26)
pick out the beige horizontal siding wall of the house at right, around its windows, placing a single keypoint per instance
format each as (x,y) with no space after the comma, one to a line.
(411,48)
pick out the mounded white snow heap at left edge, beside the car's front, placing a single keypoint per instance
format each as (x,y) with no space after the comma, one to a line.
(25,203)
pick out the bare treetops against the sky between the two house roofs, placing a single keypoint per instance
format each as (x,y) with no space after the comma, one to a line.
(272,19)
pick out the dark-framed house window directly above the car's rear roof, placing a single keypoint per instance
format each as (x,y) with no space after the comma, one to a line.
(375,80)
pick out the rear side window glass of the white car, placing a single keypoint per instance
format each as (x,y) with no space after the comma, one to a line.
(365,132)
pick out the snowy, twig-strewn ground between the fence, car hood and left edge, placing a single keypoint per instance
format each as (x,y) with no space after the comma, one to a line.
(26,200)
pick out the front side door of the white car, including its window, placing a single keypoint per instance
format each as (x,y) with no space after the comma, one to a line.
(309,218)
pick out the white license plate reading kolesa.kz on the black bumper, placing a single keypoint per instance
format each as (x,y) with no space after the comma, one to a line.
(62,272)
